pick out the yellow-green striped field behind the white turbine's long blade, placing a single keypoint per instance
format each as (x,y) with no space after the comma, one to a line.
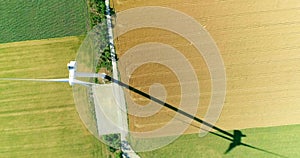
(40,119)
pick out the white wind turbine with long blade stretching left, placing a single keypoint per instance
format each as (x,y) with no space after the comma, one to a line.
(72,76)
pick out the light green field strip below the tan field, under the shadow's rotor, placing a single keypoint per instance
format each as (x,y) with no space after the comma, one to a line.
(283,140)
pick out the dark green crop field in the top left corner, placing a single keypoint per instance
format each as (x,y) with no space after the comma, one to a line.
(40,19)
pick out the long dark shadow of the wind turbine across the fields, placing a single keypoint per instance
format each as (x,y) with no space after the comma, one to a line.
(235,138)
